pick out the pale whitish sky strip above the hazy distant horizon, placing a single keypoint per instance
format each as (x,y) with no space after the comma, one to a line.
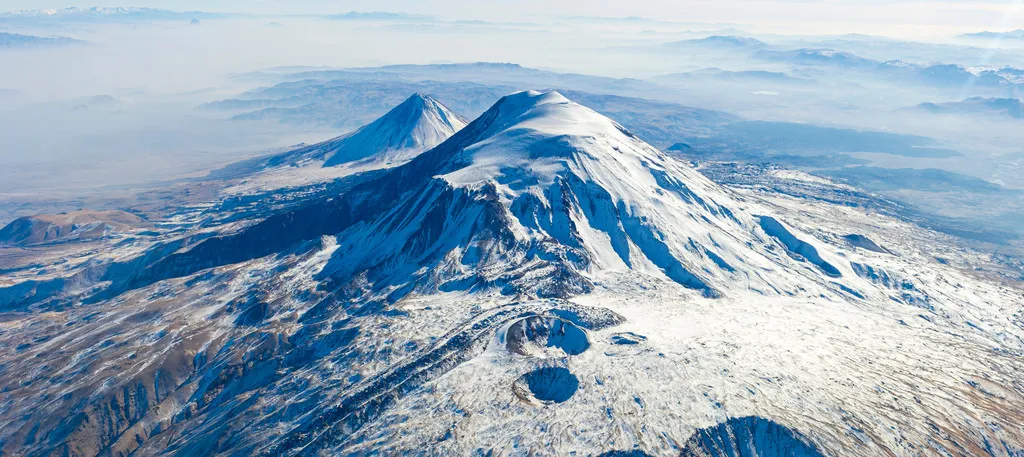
(925,18)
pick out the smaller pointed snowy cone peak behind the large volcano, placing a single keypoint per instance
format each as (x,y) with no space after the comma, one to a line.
(414,127)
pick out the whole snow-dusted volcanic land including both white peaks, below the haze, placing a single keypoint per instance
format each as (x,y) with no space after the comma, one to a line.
(539,281)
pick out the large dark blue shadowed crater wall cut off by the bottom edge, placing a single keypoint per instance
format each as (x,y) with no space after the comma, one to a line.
(749,437)
